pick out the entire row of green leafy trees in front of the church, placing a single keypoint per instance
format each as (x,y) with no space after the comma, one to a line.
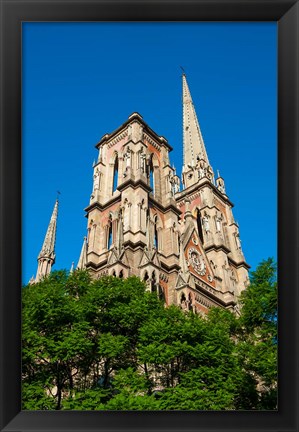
(109,344)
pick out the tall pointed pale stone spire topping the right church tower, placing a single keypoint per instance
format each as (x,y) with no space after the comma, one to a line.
(193,141)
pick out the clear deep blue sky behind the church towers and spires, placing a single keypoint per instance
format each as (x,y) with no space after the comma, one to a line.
(82,80)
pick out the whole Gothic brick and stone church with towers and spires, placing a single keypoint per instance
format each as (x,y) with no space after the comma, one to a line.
(178,235)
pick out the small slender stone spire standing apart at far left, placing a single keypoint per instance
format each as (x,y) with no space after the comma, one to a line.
(46,257)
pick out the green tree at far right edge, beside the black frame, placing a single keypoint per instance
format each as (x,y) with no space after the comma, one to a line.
(258,336)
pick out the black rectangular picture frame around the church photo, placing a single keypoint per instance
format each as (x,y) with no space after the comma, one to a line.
(13,13)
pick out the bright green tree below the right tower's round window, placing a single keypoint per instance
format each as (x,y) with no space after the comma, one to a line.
(193,358)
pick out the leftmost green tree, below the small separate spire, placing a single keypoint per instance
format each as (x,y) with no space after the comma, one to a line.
(56,336)
